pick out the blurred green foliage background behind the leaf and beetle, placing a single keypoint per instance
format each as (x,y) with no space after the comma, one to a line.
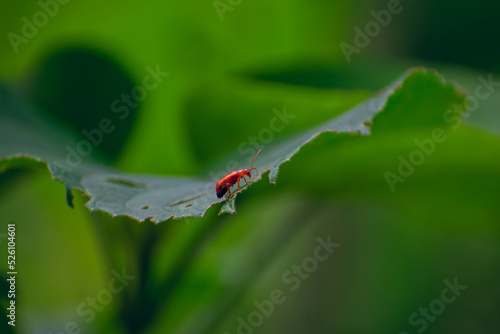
(228,68)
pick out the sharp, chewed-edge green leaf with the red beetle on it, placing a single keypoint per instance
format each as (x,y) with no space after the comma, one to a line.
(25,136)
